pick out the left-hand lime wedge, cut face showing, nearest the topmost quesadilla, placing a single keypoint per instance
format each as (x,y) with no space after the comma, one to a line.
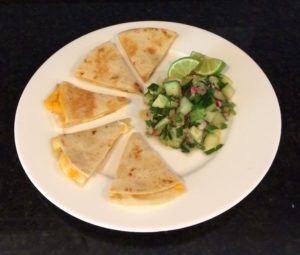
(182,67)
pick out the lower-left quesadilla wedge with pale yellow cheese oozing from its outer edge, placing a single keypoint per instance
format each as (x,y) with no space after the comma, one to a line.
(81,153)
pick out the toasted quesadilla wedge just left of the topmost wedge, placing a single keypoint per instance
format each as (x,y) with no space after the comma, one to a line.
(104,66)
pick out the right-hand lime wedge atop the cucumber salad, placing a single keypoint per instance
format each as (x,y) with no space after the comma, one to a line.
(210,66)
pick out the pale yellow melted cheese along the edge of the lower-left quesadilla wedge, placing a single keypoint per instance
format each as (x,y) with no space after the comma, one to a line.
(65,166)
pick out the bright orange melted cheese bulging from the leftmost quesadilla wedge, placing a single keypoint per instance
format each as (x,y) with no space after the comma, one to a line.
(54,103)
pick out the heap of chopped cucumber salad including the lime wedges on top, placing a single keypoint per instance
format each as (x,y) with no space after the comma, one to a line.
(188,108)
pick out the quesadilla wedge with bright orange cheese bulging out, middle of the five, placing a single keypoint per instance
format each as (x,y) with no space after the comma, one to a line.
(73,105)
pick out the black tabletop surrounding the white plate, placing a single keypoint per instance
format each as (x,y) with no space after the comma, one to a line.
(266,222)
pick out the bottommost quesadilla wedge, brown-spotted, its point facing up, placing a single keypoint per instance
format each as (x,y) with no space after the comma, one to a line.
(142,177)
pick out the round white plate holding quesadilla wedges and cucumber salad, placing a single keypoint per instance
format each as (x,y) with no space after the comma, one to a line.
(213,186)
